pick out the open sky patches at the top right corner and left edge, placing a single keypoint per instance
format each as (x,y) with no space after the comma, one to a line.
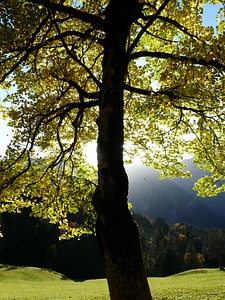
(209,19)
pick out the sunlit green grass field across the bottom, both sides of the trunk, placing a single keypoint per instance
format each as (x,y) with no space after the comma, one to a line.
(33,283)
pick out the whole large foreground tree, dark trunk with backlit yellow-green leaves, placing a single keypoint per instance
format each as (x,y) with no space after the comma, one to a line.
(145,72)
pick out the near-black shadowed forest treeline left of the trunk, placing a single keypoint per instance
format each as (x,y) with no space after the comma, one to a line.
(28,241)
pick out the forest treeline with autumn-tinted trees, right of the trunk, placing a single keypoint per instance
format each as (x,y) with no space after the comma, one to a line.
(169,249)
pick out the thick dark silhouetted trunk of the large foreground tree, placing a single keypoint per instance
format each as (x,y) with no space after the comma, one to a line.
(117,232)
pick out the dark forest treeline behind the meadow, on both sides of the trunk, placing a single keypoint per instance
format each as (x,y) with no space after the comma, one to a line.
(166,249)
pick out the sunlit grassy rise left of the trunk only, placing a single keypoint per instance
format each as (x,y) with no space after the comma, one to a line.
(20,283)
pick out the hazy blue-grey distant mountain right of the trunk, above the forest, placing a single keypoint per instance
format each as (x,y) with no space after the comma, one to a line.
(174,199)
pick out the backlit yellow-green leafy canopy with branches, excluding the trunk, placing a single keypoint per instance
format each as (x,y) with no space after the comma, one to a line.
(51,53)
